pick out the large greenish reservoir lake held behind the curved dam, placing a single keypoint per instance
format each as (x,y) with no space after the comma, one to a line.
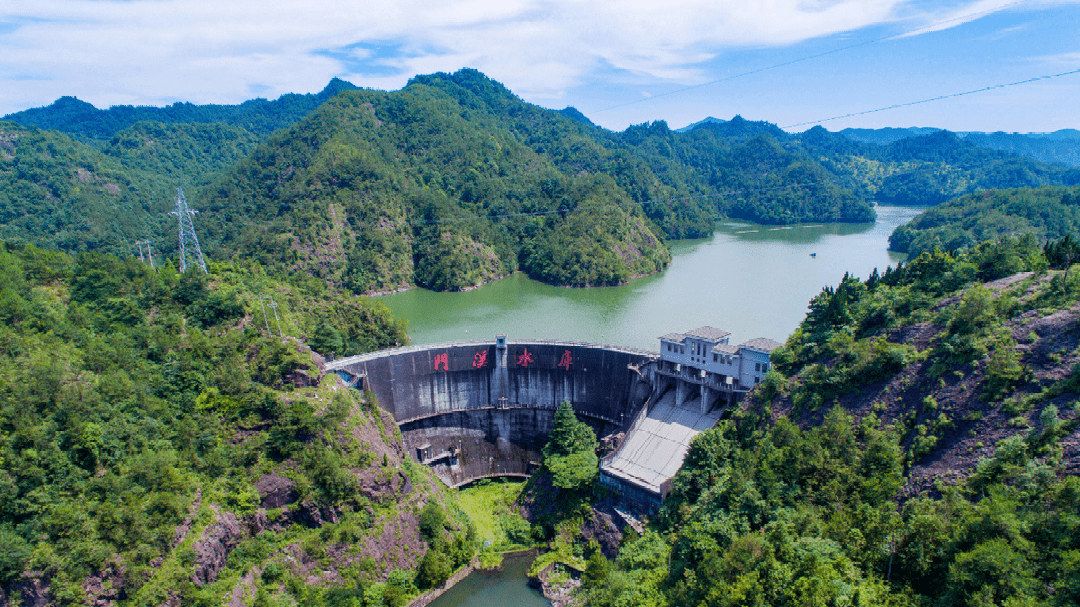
(754,281)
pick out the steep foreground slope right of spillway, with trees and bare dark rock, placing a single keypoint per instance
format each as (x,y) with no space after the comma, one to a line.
(816,491)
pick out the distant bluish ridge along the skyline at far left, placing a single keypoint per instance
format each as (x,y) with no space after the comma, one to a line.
(262,117)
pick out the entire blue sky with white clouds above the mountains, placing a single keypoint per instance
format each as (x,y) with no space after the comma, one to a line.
(619,62)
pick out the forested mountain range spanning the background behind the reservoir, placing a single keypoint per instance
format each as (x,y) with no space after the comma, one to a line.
(450,183)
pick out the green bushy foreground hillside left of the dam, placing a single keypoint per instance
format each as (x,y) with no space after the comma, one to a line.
(158,446)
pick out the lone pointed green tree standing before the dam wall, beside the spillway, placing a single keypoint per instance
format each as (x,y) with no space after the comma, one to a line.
(571,453)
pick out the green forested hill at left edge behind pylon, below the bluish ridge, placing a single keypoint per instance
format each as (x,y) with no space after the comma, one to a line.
(61,194)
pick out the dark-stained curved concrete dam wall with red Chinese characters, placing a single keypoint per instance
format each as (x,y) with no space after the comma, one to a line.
(484,409)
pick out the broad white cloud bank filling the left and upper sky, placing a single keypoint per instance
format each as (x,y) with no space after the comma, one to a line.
(154,51)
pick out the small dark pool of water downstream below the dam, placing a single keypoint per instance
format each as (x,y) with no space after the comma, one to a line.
(505,588)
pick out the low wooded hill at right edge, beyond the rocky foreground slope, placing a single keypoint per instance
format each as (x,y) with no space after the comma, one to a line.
(1048,213)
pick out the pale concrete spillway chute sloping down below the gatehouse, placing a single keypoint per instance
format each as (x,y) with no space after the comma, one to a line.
(655,448)
